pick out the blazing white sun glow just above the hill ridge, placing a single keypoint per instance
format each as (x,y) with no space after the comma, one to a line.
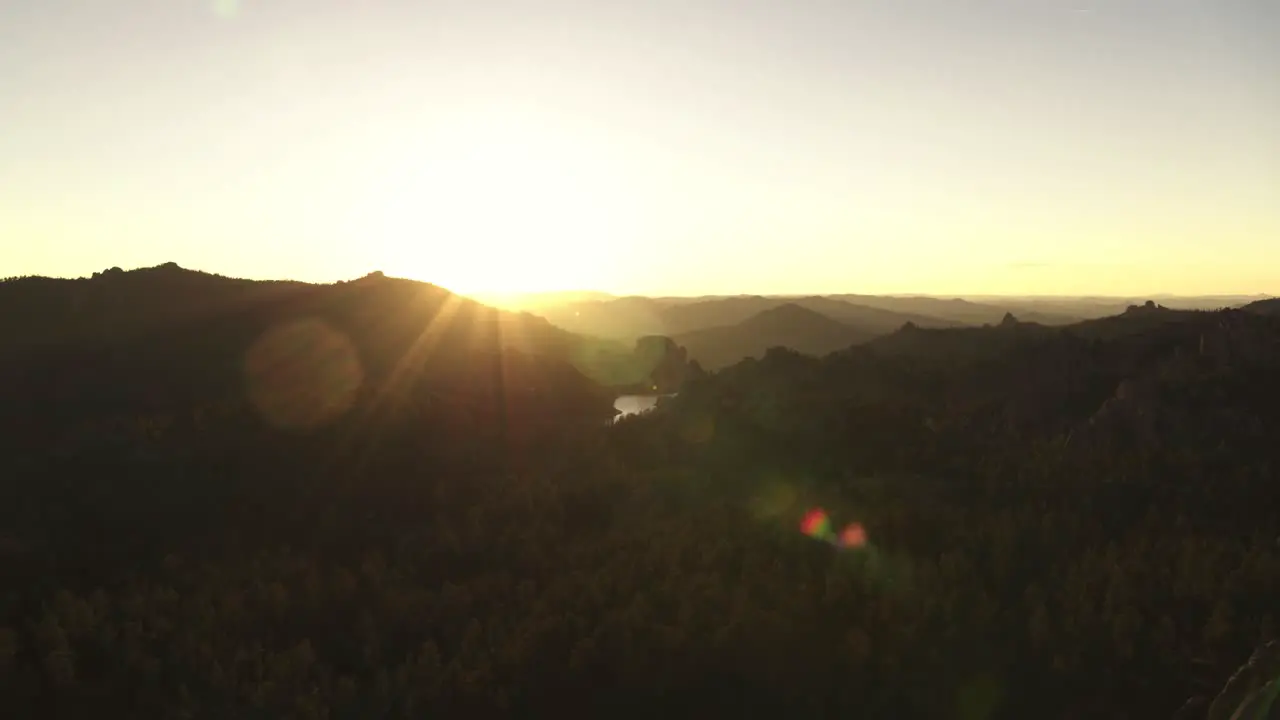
(497,209)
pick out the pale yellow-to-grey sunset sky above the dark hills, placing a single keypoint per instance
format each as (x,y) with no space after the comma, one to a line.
(666,148)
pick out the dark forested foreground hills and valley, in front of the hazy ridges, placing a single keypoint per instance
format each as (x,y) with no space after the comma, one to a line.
(377,500)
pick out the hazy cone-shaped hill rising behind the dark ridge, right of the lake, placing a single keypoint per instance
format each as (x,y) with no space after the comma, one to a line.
(787,326)
